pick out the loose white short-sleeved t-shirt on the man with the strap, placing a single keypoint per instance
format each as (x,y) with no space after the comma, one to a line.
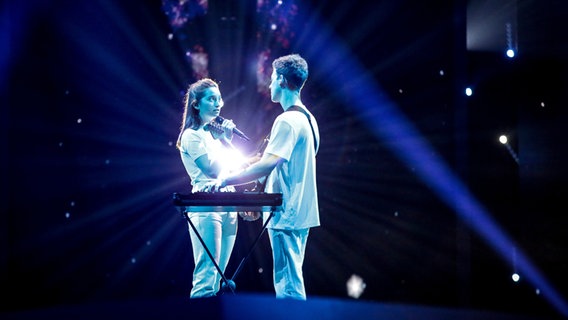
(291,138)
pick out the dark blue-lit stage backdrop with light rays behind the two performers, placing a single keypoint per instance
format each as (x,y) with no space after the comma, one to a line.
(91,107)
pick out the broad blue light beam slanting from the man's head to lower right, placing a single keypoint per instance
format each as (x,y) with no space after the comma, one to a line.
(385,120)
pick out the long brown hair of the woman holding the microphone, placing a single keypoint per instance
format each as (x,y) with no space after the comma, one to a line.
(195,92)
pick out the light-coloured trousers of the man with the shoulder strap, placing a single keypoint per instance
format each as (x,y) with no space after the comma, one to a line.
(288,249)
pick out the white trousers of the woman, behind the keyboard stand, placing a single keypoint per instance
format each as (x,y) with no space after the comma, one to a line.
(219,231)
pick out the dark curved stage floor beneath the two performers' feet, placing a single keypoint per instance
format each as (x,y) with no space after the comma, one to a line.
(255,306)
